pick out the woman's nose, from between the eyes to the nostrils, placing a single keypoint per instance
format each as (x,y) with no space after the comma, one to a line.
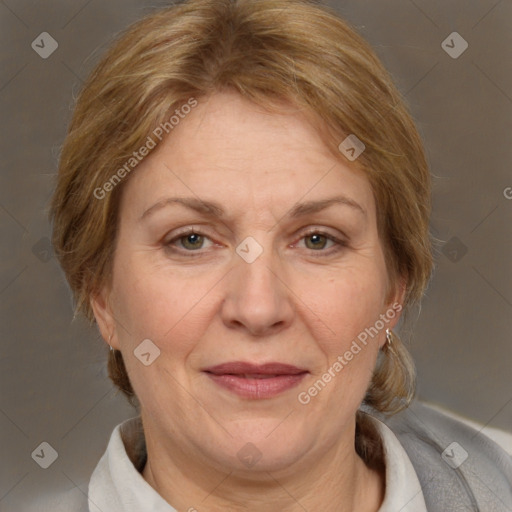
(258,300)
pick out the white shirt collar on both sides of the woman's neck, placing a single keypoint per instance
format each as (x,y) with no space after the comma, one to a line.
(116,485)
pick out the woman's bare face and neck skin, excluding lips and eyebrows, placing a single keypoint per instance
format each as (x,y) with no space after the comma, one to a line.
(301,302)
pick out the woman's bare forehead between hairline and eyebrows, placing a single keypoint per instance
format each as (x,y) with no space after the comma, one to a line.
(235,152)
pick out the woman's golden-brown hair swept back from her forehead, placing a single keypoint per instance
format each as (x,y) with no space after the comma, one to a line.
(268,51)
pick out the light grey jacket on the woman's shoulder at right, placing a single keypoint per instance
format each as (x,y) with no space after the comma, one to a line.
(458,467)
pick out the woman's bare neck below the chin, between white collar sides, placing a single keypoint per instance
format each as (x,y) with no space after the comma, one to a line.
(338,482)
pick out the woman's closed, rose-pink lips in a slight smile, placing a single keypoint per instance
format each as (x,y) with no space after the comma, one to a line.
(254,381)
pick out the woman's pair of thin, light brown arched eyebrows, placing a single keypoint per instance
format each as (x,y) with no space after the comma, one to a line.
(215,210)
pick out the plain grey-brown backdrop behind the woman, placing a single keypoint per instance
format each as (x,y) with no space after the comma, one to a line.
(54,385)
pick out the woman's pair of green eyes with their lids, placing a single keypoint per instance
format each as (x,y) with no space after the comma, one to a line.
(191,243)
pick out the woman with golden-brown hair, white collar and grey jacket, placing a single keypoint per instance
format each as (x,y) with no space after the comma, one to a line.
(242,207)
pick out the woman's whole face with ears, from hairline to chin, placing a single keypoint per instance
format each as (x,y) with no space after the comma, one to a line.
(249,256)
